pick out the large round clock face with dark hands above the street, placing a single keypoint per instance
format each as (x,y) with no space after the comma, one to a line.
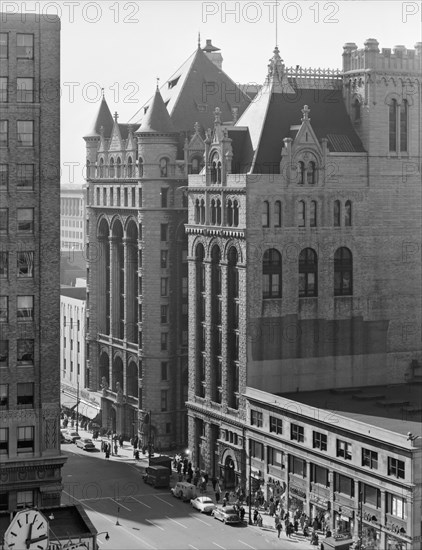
(28,531)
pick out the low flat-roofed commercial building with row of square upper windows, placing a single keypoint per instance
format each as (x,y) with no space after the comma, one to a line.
(350,457)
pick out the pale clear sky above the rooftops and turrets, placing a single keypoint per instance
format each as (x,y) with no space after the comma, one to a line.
(123,46)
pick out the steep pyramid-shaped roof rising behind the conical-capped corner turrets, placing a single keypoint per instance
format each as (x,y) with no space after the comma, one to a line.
(193,92)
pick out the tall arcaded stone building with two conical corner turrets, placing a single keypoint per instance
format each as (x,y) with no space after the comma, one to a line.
(137,329)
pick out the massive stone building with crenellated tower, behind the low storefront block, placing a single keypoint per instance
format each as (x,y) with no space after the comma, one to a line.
(302,263)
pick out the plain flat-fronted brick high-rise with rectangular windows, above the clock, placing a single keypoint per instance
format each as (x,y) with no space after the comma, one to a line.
(31,462)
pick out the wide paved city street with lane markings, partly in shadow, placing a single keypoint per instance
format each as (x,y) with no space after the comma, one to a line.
(137,516)
